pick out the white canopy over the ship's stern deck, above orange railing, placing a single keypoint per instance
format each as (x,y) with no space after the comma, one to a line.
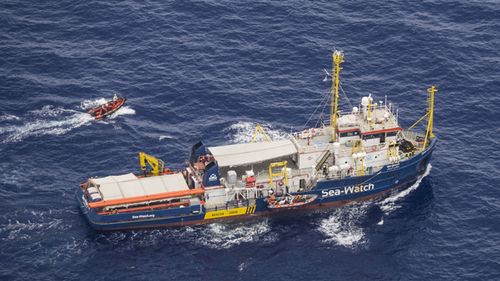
(128,185)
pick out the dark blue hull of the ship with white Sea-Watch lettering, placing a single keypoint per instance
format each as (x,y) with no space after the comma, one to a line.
(330,193)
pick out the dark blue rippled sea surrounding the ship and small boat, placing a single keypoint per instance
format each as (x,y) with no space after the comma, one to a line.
(210,70)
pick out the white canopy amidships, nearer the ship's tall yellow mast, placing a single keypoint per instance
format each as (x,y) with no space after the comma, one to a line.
(247,153)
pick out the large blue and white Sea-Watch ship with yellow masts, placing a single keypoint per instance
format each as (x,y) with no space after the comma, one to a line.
(356,155)
